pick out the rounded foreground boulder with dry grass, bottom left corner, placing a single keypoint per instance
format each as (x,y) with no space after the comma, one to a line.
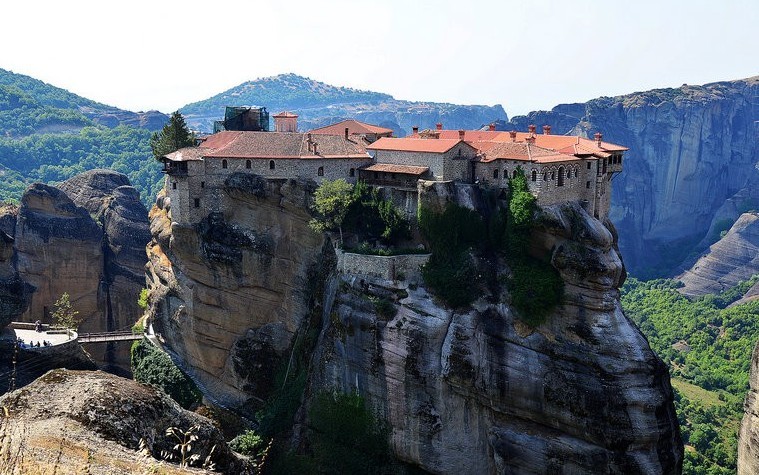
(93,422)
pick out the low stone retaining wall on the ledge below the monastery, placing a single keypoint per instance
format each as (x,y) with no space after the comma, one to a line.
(383,267)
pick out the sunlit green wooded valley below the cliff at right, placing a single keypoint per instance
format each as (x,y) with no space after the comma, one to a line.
(708,348)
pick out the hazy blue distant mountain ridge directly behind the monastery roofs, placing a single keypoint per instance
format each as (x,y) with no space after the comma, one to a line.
(319,104)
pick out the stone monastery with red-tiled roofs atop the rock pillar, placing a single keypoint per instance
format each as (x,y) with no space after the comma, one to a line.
(558,167)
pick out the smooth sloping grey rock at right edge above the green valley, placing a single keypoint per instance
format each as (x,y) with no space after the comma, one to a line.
(732,259)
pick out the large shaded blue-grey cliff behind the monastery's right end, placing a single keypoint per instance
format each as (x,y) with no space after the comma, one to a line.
(691,149)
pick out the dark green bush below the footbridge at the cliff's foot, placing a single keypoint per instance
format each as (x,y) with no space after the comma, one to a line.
(154,367)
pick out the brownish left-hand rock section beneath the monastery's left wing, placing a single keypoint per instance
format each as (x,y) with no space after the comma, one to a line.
(230,292)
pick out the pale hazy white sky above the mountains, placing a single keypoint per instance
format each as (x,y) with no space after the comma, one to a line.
(525,55)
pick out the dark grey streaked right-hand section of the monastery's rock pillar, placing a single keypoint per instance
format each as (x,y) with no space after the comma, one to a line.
(478,391)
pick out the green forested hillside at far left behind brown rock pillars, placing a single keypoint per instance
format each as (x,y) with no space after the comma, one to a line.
(48,134)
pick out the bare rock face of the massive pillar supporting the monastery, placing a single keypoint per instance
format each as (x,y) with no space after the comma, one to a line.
(474,391)
